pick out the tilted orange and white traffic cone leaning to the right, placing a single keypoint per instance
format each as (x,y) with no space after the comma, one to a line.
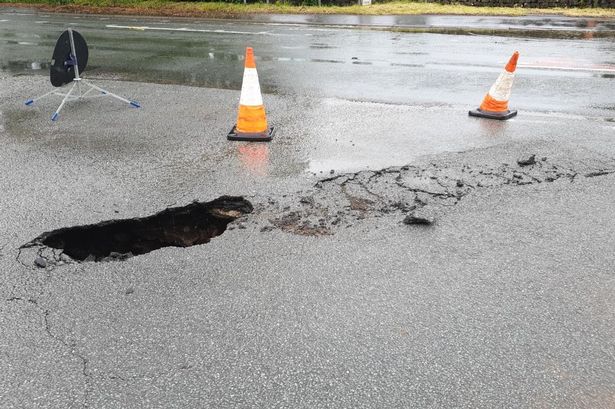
(495,103)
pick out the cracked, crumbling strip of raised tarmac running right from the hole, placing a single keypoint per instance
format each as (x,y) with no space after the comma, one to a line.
(419,192)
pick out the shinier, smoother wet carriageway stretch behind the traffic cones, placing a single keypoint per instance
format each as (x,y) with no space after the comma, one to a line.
(564,88)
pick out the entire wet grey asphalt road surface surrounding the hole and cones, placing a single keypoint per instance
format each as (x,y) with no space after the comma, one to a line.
(507,301)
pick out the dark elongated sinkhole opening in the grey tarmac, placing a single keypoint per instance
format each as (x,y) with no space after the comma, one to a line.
(196,223)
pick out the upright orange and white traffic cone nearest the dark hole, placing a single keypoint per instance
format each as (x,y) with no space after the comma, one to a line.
(251,119)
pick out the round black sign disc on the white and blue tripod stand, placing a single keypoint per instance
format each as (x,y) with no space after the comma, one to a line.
(61,70)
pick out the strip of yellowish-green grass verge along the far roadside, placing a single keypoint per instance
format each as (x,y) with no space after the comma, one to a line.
(229,10)
